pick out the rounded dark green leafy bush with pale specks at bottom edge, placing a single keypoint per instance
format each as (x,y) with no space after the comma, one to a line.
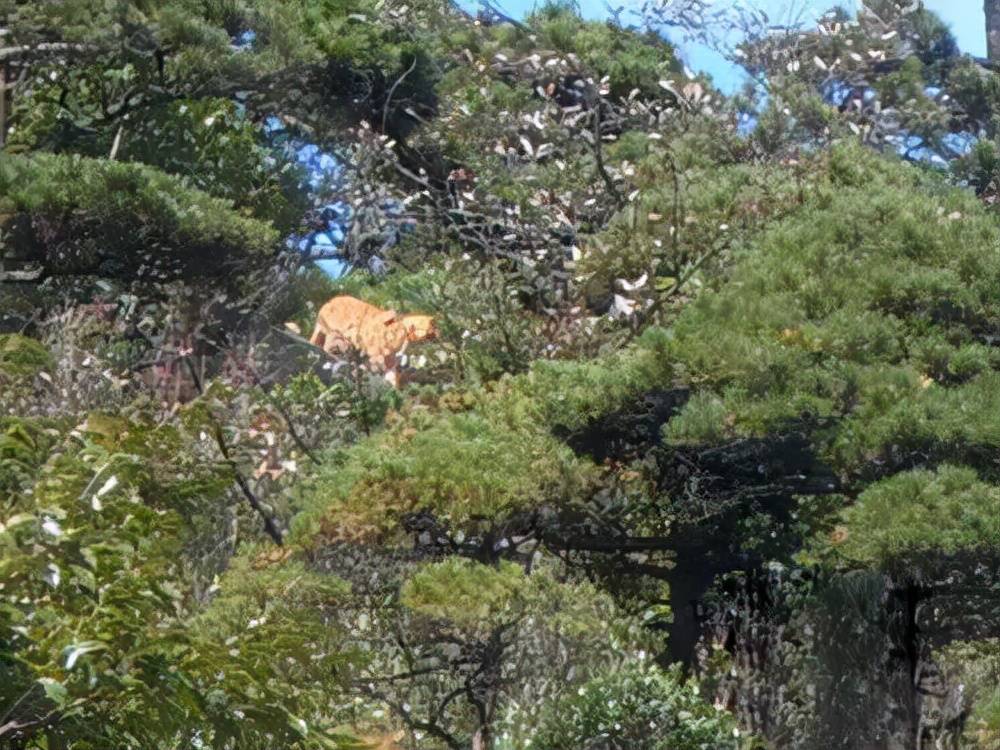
(639,706)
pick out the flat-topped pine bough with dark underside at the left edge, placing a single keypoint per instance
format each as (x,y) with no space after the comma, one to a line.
(80,208)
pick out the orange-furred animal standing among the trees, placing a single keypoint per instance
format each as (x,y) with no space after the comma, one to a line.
(346,323)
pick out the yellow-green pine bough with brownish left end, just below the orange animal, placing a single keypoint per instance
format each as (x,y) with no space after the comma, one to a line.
(463,468)
